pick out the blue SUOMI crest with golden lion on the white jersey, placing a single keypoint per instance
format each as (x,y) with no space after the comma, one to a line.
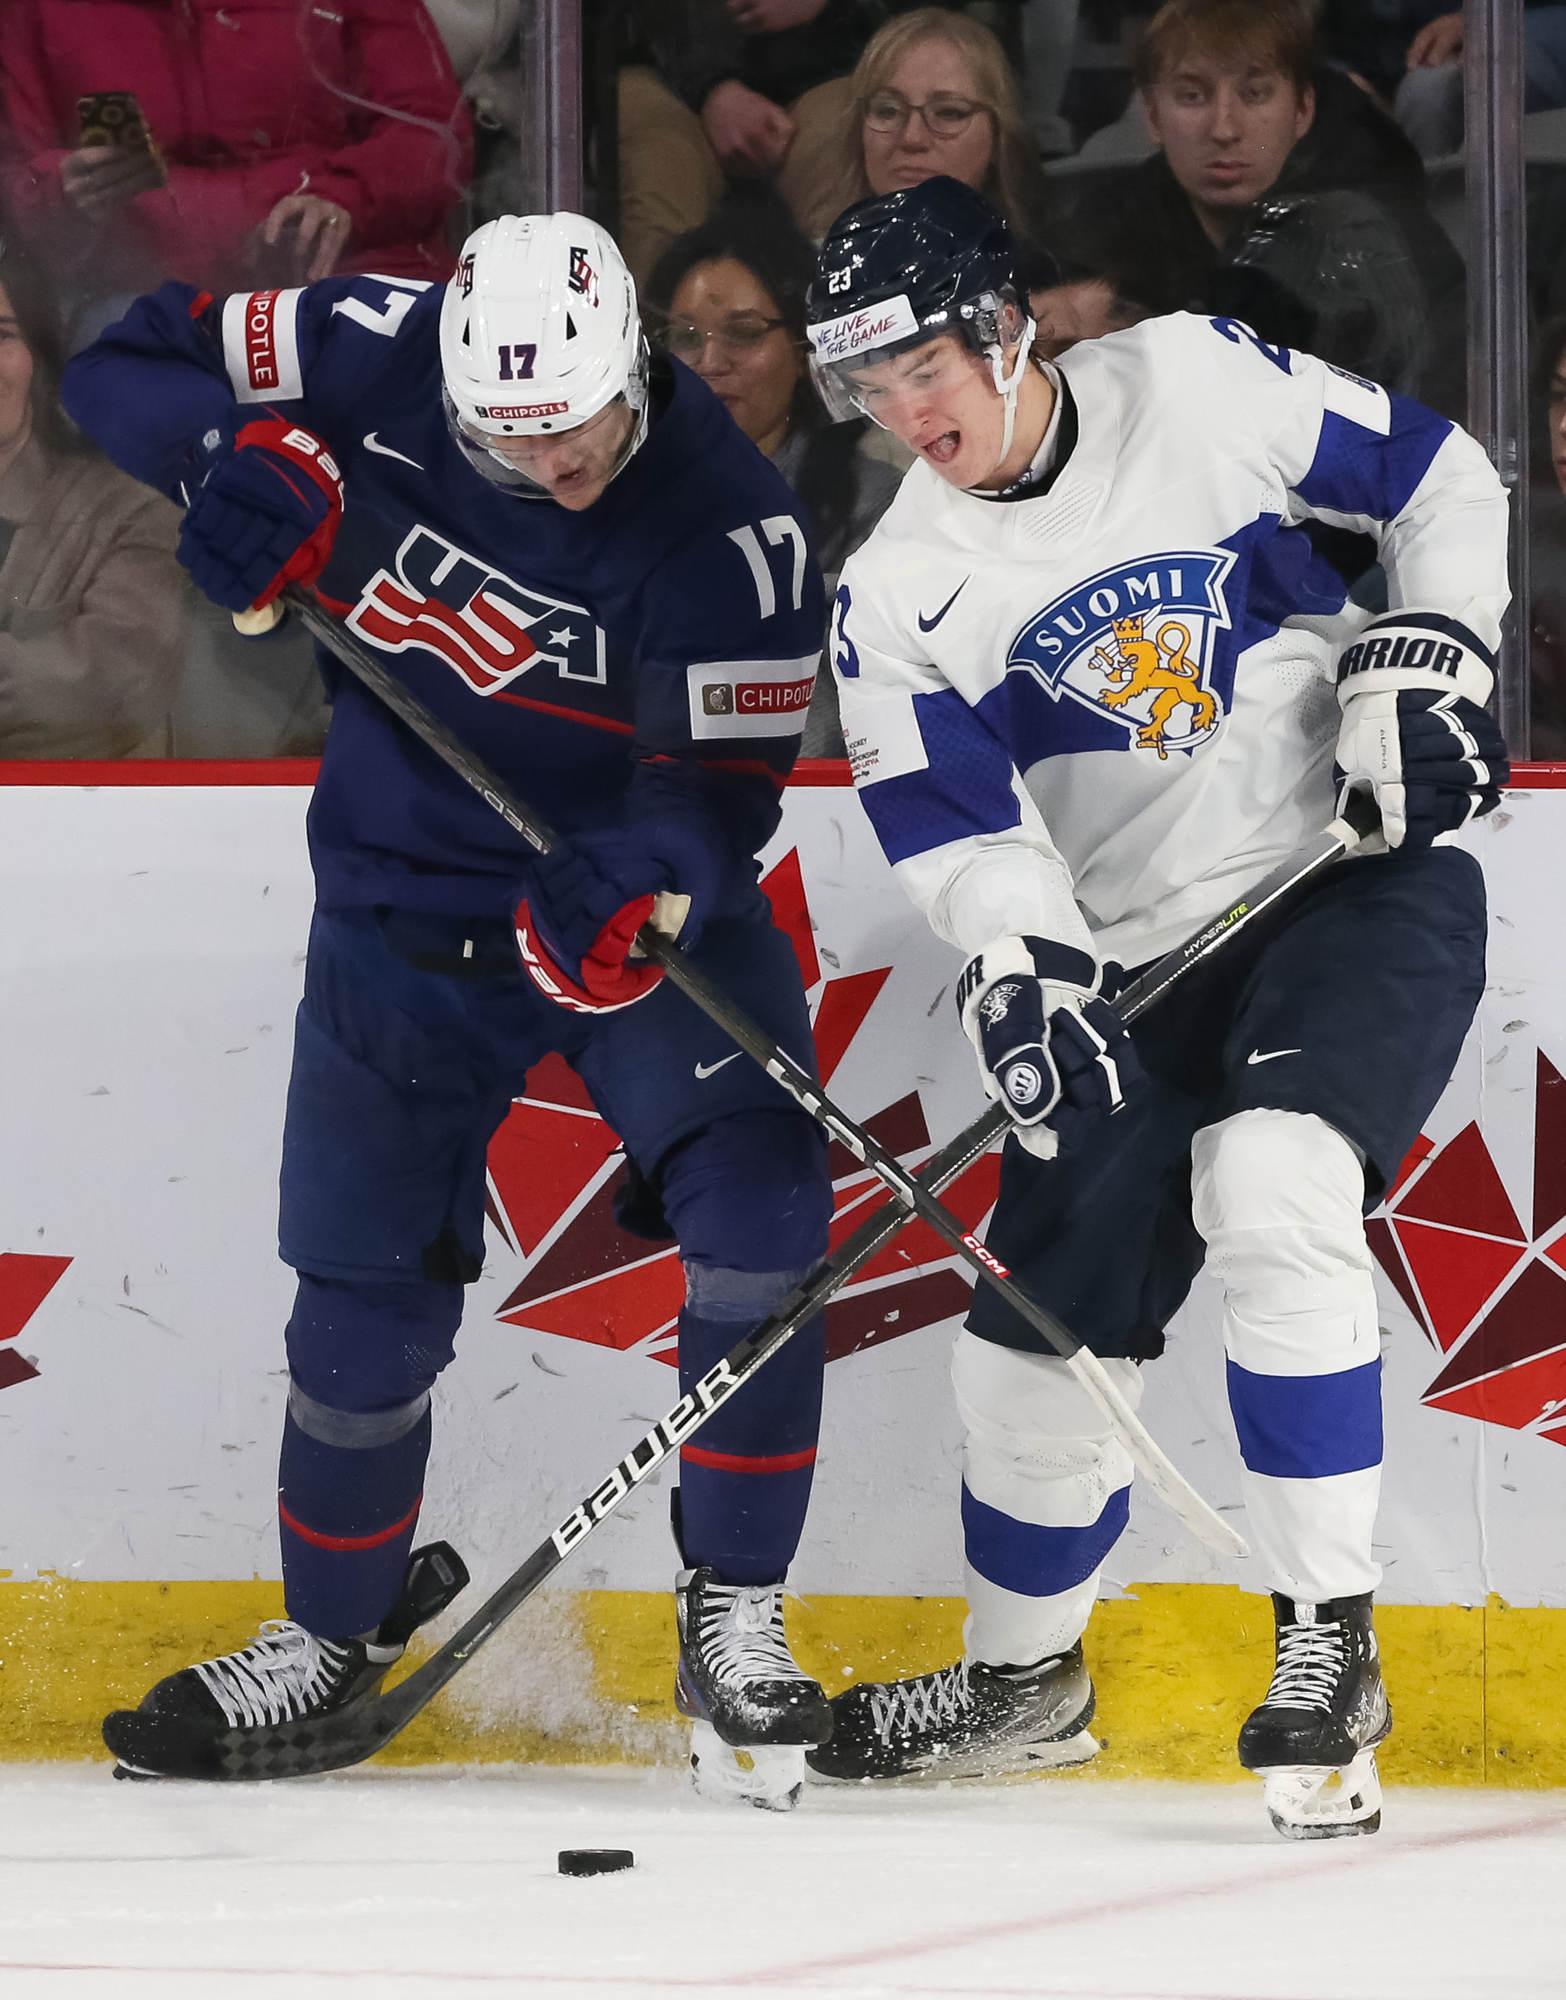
(1135,645)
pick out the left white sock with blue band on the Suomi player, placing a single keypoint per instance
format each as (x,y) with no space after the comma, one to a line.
(1045,1497)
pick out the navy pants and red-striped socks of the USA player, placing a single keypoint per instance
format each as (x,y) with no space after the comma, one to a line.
(413,1039)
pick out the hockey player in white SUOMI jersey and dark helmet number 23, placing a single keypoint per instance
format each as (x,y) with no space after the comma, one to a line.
(1097,667)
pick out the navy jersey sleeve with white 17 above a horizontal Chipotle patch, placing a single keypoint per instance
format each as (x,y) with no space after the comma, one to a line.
(731,641)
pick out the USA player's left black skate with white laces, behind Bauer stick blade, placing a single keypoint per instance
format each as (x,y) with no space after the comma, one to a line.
(231,1719)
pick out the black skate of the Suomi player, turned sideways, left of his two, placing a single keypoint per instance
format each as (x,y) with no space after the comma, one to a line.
(965,1721)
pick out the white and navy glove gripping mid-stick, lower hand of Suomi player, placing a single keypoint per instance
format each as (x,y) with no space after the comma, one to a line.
(1049,1049)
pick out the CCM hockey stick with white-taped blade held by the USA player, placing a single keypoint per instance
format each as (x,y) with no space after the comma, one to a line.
(1159,1471)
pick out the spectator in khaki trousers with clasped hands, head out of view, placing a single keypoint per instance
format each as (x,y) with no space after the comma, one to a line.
(733,91)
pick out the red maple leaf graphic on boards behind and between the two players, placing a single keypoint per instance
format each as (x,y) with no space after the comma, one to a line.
(555,1163)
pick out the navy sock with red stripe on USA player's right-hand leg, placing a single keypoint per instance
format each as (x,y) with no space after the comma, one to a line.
(745,1479)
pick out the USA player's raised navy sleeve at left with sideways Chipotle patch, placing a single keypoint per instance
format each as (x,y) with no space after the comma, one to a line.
(183,365)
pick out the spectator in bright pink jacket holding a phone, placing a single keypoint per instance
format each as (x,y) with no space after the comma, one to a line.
(285,141)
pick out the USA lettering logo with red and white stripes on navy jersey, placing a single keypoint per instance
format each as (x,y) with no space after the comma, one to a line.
(483,625)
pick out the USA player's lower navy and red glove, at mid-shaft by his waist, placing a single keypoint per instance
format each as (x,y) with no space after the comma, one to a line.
(593,893)
